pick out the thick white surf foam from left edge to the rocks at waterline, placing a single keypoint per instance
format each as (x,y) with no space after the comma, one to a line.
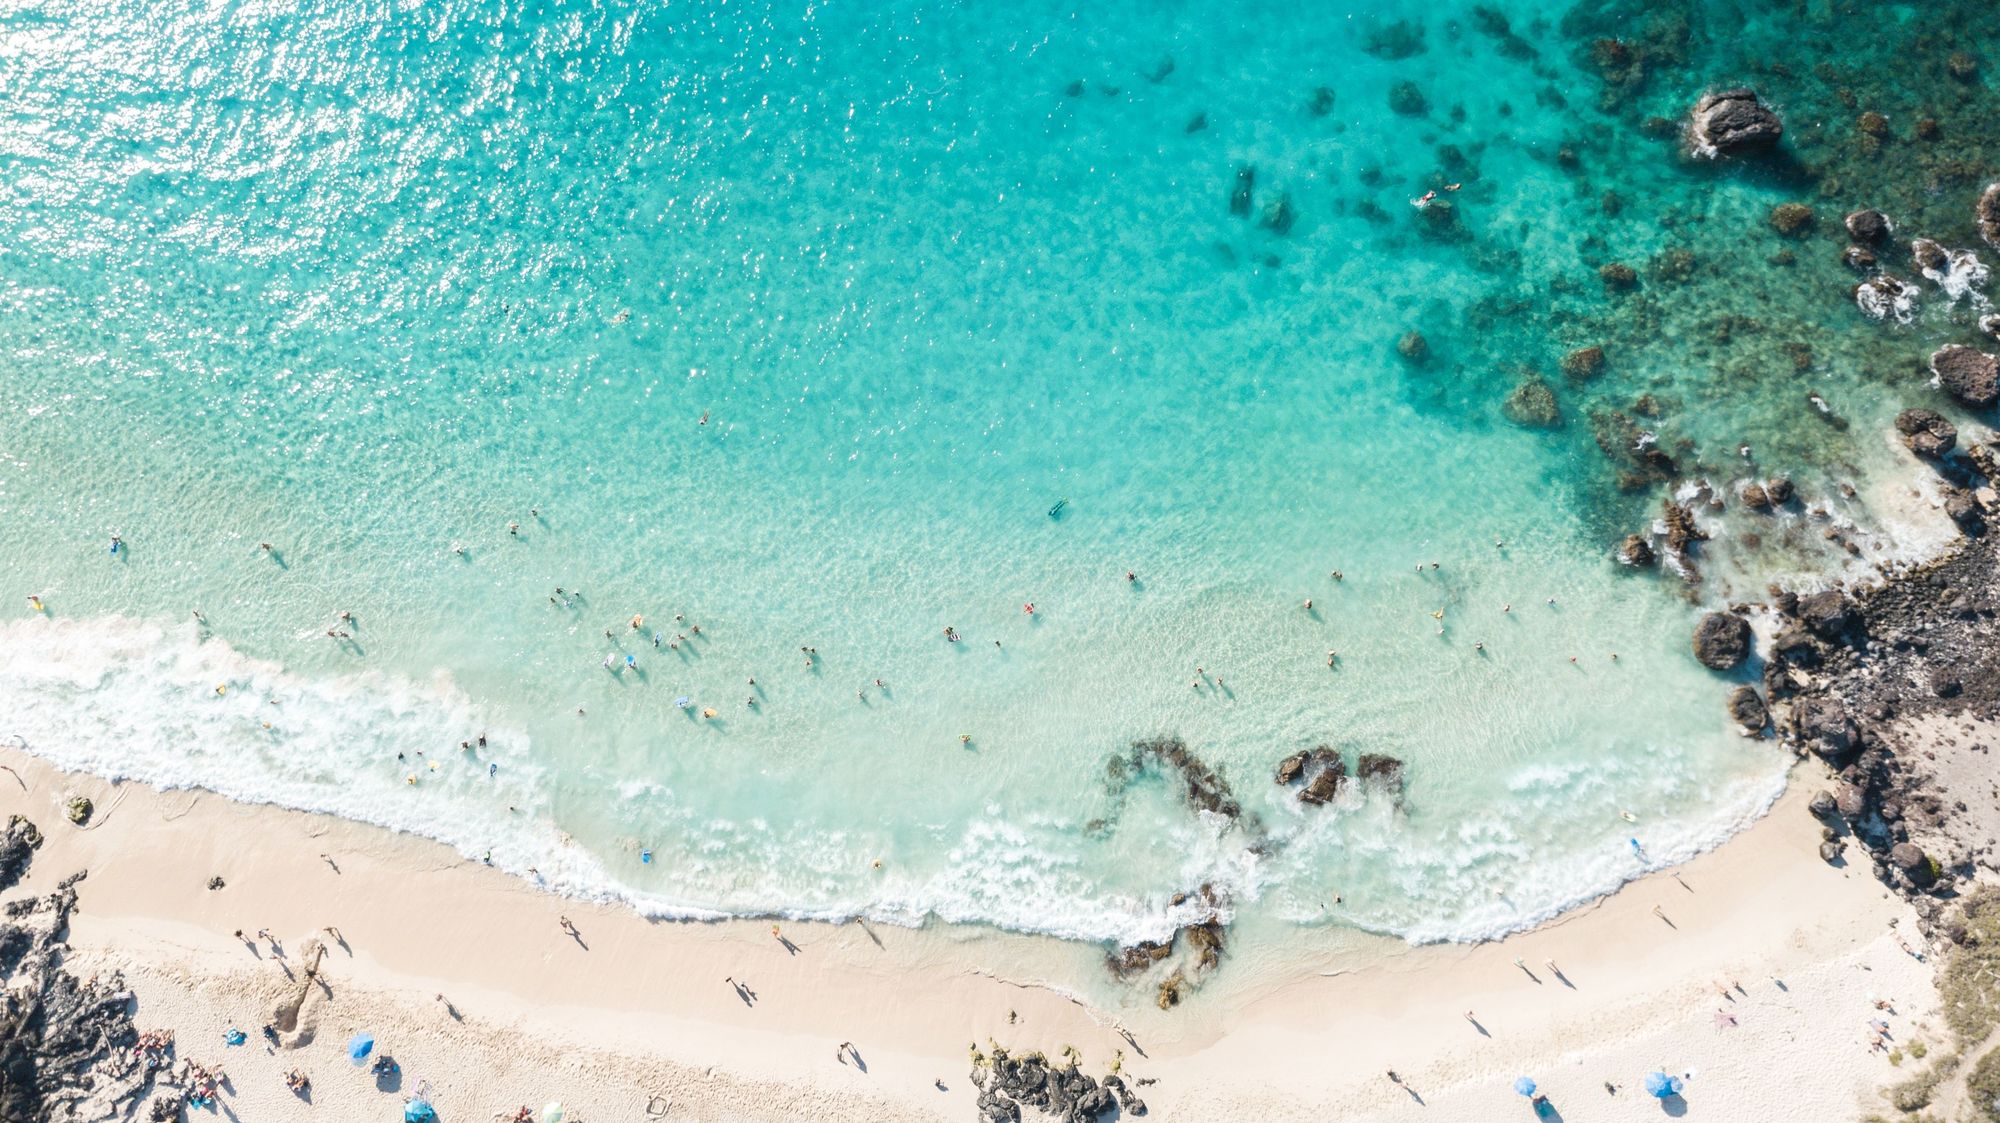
(139,700)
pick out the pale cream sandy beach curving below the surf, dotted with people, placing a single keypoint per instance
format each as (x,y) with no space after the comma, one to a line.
(637,1010)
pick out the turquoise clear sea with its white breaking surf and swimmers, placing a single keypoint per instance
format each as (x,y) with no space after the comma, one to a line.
(795,323)
